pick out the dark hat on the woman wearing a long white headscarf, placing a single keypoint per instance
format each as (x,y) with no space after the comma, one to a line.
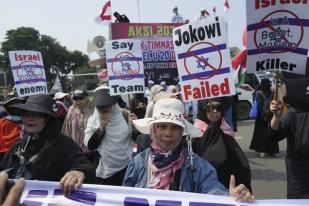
(102,97)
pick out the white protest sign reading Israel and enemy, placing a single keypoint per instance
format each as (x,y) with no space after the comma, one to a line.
(28,72)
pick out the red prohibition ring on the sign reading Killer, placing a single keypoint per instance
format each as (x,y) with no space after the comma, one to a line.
(286,49)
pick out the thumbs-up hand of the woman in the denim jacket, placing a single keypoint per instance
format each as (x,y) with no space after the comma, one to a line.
(240,192)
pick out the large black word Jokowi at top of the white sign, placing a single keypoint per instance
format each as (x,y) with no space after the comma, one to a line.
(198,34)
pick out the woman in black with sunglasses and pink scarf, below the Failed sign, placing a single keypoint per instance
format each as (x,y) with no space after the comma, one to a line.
(218,139)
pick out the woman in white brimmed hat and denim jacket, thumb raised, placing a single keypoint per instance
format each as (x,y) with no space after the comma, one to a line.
(170,164)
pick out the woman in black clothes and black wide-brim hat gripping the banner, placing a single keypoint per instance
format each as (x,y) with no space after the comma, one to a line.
(43,153)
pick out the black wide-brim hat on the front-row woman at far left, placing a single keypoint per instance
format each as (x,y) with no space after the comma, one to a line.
(41,103)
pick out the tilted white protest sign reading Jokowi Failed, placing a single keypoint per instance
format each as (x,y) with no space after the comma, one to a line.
(203,59)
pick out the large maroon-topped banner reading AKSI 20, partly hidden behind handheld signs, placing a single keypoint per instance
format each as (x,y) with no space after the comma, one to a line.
(157,48)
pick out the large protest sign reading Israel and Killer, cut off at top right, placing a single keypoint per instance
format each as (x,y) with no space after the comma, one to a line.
(278,34)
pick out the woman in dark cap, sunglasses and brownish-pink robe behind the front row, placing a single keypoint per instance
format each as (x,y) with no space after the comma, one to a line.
(76,119)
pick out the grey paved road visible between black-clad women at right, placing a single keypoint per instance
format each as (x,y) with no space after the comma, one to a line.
(268,173)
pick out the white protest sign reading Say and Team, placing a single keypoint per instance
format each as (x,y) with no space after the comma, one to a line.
(125,66)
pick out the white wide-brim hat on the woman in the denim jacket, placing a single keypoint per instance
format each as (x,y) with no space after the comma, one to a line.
(167,110)
